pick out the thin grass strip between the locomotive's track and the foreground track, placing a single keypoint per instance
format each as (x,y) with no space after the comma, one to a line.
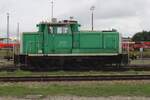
(20,73)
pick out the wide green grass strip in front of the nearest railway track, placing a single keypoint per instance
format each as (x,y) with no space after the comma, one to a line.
(77,90)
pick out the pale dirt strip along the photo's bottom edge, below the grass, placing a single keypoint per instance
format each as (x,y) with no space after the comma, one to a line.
(75,98)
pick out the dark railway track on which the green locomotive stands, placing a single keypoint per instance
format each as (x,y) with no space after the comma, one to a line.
(111,68)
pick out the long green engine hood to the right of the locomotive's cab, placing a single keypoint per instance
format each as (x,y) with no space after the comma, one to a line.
(97,42)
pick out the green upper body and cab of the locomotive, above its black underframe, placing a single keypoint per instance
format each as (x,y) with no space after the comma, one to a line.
(48,41)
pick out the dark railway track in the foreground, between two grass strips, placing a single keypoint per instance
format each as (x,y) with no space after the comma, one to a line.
(74,78)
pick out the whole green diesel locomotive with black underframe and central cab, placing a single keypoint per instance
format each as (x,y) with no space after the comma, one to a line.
(61,45)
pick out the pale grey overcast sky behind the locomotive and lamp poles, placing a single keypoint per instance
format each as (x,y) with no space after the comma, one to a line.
(127,16)
